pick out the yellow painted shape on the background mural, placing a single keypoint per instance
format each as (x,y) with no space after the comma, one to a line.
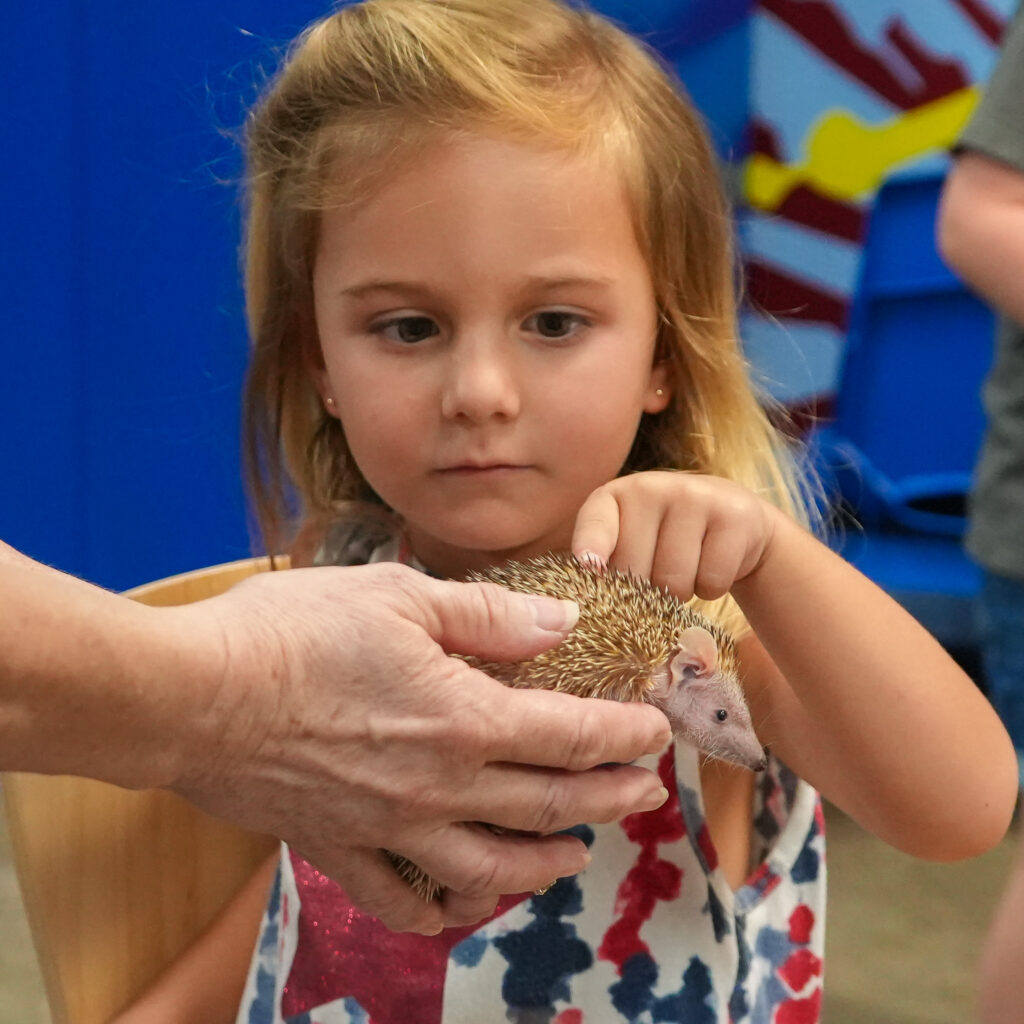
(847,159)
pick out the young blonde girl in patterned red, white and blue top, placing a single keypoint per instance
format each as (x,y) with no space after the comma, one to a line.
(491,292)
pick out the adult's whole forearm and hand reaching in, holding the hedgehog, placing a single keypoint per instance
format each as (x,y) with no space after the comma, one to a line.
(320,706)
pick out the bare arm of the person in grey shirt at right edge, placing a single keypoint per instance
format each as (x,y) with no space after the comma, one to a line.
(982,230)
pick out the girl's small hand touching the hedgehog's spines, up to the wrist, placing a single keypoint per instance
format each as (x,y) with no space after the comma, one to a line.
(693,534)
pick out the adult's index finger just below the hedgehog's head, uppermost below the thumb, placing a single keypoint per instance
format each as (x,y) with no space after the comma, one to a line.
(558,731)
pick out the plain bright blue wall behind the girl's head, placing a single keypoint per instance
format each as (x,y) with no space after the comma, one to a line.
(123,345)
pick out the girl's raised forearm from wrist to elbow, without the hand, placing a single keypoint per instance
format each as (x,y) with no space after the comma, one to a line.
(861,700)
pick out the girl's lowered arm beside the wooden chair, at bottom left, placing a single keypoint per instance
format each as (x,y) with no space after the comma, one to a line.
(205,984)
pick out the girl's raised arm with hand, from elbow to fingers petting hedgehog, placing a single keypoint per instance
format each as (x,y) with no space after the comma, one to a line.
(851,692)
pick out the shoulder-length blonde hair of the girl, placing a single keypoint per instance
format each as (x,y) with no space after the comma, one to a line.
(369,86)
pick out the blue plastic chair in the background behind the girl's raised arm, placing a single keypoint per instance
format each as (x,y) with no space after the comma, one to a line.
(909,415)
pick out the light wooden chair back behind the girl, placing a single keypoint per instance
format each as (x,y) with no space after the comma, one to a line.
(117,883)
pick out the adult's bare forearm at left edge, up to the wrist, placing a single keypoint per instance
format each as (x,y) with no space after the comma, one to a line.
(78,693)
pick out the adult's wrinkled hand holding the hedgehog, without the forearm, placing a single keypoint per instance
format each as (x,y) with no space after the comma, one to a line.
(346,730)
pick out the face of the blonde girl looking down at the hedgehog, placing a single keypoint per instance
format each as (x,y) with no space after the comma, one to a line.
(487,325)
